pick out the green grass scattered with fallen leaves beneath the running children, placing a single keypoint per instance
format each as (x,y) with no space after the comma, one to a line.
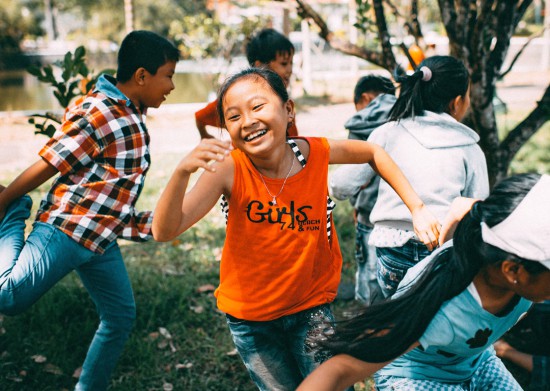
(180,340)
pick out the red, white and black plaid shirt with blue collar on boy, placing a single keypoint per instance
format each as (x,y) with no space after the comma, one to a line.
(102,154)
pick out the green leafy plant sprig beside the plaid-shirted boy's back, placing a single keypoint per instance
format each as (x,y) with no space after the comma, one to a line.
(73,79)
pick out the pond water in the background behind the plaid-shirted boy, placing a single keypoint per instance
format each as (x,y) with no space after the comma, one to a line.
(20,91)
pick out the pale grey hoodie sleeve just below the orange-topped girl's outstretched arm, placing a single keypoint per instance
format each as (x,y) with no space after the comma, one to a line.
(347,180)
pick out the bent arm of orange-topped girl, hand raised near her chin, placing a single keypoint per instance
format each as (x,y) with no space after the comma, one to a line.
(176,211)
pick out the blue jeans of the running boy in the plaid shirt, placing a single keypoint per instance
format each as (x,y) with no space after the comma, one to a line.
(28,269)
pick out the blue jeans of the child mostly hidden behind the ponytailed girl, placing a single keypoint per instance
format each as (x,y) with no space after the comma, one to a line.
(366,285)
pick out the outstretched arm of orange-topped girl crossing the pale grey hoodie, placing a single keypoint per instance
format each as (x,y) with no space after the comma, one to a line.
(425,224)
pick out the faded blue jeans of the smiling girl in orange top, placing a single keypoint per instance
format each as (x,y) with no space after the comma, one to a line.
(280,353)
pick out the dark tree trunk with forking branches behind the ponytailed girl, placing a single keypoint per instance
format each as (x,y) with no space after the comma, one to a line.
(479,34)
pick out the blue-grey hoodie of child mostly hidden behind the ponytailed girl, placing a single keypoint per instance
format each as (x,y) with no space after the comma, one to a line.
(360,126)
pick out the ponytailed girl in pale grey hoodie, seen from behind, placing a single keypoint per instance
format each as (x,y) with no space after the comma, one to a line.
(438,154)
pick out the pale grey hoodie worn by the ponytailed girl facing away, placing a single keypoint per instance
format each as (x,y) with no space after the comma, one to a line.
(438,155)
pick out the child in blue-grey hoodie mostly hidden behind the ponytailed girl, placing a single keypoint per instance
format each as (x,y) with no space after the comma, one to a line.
(373,97)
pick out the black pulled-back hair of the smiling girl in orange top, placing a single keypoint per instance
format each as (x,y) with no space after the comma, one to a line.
(273,80)
